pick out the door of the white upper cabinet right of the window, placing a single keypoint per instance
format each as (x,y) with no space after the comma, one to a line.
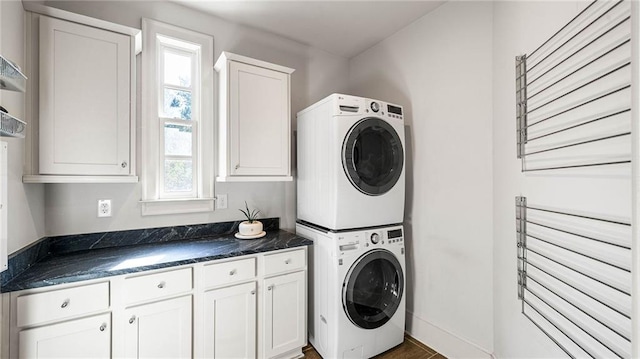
(259,121)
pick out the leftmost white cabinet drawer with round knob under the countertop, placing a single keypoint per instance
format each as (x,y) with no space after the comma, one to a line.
(61,304)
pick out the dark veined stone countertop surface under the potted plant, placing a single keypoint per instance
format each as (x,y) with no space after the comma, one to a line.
(72,266)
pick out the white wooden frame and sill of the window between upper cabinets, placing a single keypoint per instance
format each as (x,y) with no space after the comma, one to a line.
(155,200)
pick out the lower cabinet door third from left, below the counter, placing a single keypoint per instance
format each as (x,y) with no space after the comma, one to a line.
(230,322)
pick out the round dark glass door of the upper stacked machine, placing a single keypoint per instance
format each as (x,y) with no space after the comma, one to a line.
(372,156)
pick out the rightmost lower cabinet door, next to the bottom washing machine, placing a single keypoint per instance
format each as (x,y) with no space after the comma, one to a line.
(285,313)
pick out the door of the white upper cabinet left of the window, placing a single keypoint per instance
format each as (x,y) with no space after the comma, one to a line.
(84,100)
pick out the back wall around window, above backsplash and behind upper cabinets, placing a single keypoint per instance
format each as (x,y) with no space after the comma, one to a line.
(72,208)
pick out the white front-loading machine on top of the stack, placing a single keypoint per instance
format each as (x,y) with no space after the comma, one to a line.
(351,163)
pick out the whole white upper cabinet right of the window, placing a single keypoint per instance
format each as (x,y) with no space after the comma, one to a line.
(254,120)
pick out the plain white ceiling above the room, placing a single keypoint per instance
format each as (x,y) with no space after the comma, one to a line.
(344,28)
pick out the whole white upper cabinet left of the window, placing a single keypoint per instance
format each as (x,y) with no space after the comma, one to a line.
(84,111)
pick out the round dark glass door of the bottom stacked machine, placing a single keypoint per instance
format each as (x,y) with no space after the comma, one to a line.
(372,290)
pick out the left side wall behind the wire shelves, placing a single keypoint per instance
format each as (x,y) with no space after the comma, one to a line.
(26,203)
